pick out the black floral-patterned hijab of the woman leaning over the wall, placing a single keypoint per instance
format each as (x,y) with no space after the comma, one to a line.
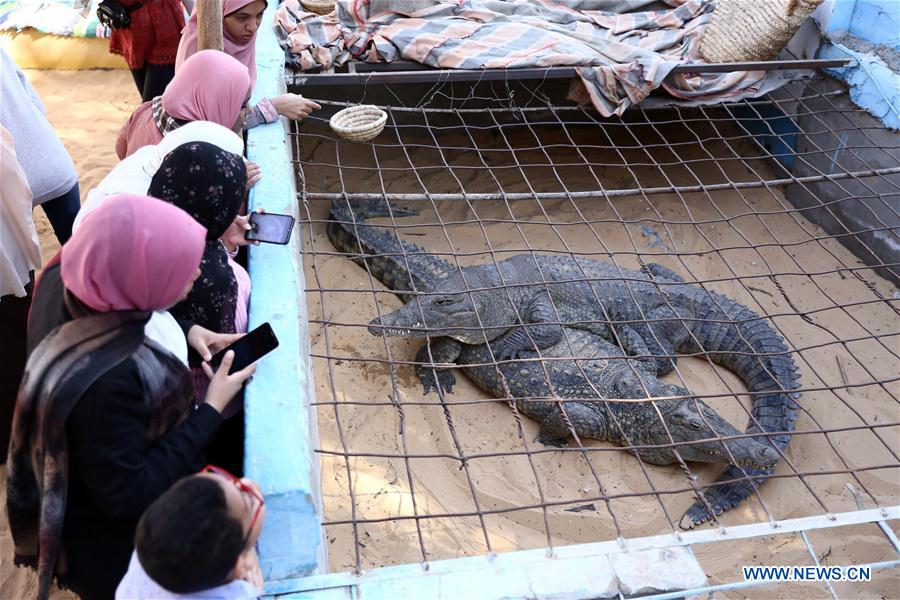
(209,184)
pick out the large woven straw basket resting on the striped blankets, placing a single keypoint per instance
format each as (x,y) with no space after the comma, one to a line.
(746,30)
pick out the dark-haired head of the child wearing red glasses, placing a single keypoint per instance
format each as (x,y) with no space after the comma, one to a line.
(194,536)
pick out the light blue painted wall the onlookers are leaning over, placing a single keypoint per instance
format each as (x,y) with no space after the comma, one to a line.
(281,426)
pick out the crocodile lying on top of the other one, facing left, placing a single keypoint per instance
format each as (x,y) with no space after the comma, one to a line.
(520,306)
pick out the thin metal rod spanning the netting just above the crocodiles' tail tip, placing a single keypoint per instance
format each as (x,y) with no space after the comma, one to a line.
(683,189)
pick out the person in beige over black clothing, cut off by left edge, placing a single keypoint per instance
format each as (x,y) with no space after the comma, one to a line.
(20,255)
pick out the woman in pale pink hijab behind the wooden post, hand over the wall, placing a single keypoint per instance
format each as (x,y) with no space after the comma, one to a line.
(240,22)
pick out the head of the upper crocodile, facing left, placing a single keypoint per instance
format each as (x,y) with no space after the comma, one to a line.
(452,310)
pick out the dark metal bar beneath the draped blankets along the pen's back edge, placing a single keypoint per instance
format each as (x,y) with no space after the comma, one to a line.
(376,73)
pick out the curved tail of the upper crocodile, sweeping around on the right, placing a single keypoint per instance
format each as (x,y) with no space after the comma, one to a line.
(754,351)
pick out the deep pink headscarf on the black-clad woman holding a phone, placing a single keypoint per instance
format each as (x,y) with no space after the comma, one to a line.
(132,253)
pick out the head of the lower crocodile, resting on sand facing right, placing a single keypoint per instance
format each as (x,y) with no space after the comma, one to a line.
(689,419)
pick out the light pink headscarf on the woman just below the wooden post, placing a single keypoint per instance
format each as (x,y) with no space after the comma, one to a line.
(210,86)
